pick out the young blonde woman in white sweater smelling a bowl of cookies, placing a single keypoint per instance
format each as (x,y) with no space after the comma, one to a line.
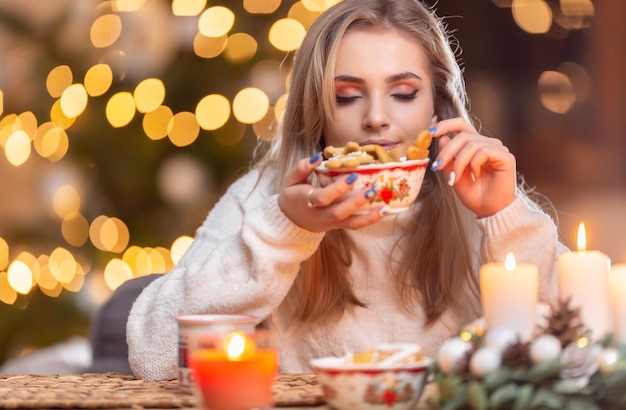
(328,282)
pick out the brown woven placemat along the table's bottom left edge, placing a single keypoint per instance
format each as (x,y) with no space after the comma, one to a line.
(114,390)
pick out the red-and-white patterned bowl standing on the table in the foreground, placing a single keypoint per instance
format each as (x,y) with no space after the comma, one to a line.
(394,383)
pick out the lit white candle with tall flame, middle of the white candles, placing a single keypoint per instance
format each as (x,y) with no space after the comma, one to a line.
(583,277)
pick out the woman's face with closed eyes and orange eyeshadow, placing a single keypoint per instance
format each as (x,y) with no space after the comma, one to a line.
(383,89)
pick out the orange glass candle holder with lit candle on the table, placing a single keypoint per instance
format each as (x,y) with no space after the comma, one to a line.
(234,371)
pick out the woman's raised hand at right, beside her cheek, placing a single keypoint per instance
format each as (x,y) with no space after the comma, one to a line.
(481,169)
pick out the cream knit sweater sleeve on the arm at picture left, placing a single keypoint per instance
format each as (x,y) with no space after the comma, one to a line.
(244,259)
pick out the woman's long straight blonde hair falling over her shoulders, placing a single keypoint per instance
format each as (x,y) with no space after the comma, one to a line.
(437,265)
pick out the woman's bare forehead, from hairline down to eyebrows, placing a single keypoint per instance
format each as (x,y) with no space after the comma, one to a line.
(383,50)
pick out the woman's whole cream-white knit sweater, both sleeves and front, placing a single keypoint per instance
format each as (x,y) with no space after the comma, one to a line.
(246,256)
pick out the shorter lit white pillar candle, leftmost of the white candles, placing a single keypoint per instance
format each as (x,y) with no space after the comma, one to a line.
(509,296)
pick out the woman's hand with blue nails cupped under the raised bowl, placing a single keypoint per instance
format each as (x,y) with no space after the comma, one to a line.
(318,209)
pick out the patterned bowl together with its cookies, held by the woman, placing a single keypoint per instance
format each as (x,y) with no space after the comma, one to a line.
(397,180)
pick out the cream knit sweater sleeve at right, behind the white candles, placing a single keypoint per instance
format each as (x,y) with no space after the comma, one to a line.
(531,235)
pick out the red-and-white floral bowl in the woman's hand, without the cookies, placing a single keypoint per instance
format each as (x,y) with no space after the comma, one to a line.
(397,183)
